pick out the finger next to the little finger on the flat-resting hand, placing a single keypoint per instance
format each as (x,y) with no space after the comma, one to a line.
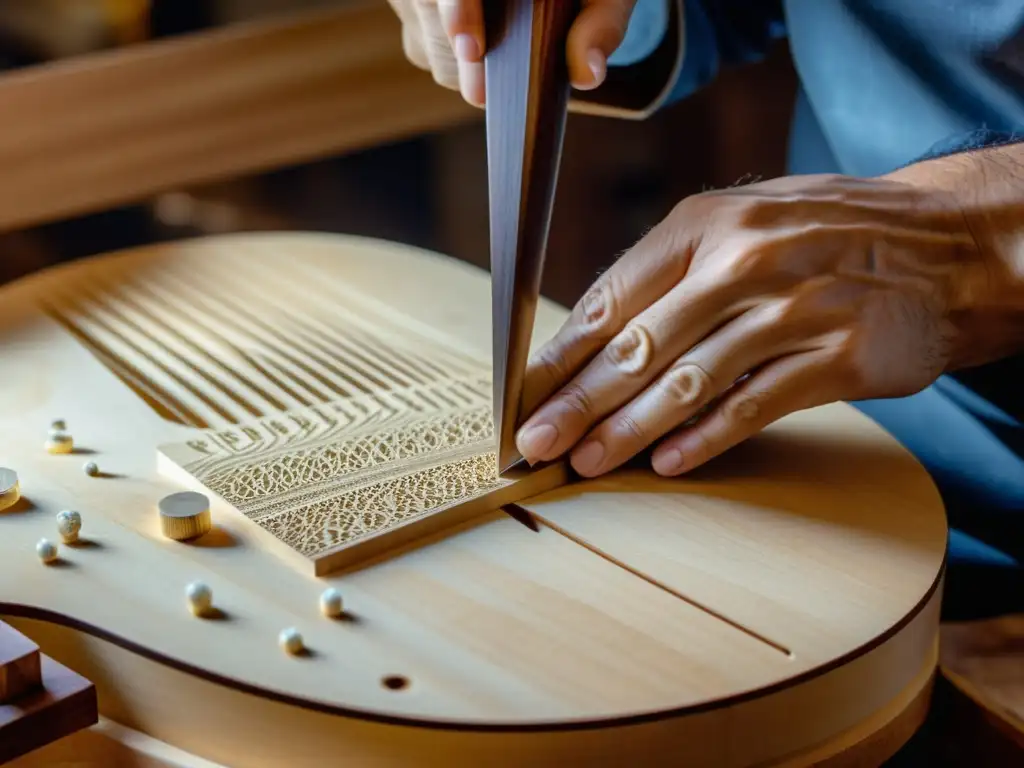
(696,379)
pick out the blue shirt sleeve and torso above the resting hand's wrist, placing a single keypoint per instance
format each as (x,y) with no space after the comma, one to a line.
(882,81)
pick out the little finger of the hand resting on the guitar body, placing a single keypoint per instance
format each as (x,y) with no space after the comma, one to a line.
(783,388)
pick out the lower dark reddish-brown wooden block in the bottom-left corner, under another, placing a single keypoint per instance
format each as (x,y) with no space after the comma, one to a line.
(66,704)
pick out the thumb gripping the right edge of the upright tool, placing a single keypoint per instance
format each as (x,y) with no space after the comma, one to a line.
(596,33)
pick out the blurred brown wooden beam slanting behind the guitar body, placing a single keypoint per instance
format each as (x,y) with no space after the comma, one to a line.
(112,129)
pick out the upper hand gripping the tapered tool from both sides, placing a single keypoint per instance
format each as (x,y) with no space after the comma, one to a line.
(446,37)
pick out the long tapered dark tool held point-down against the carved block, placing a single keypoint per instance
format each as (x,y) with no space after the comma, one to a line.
(528,89)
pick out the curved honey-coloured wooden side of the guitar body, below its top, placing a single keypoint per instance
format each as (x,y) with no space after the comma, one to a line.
(217,722)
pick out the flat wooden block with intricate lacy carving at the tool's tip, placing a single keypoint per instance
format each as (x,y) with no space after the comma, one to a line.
(379,470)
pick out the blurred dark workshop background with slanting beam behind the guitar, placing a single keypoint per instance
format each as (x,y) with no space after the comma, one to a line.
(100,150)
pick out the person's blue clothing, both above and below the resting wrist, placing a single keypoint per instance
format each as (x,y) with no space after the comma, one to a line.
(885,83)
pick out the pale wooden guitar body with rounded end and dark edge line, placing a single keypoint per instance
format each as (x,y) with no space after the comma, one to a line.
(780,608)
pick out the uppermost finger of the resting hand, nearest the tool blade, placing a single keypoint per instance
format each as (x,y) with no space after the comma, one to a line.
(642,277)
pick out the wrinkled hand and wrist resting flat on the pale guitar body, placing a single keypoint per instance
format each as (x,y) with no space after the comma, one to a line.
(818,289)
